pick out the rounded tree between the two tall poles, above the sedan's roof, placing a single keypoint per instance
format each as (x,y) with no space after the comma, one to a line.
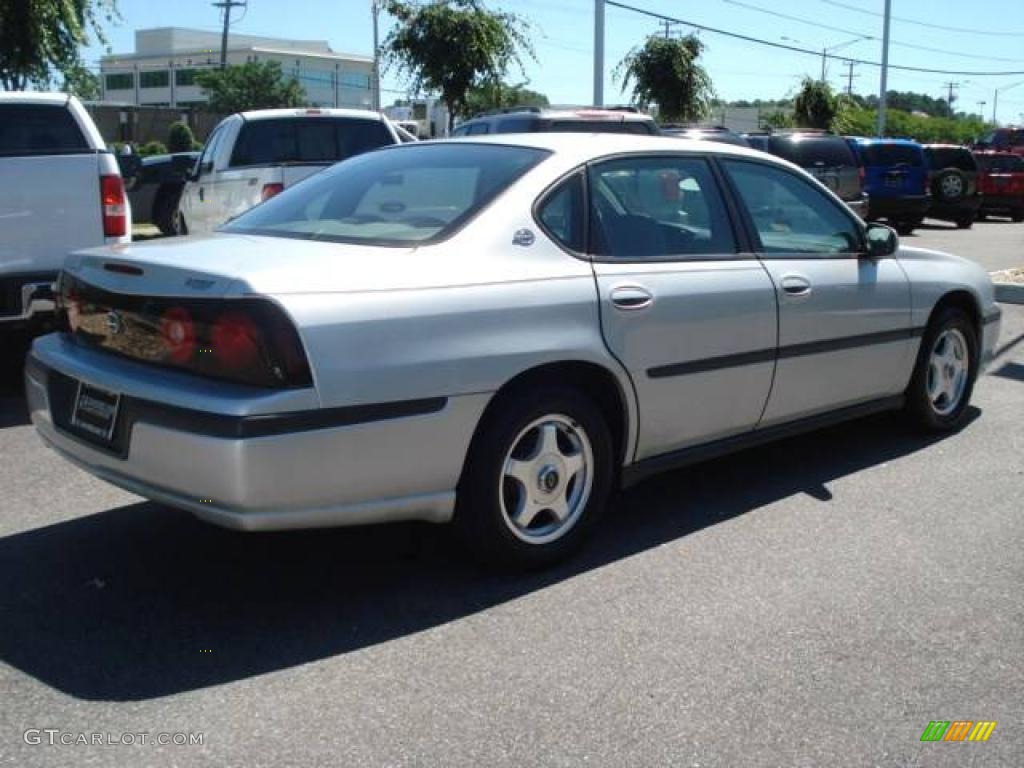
(666,71)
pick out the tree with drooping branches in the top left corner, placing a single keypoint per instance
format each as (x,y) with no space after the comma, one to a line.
(39,38)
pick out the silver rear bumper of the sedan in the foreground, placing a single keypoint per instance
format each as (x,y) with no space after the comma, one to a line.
(375,470)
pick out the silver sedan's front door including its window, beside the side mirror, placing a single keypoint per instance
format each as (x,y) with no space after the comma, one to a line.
(844,320)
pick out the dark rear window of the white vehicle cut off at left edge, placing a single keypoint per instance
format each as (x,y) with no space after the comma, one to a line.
(39,130)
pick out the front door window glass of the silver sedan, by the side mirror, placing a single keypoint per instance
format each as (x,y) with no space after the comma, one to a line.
(790,216)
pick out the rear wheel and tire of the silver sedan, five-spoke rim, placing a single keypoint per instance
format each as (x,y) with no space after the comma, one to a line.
(537,479)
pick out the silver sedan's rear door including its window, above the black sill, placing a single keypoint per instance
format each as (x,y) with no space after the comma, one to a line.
(691,317)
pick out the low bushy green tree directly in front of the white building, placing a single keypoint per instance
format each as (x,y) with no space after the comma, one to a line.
(257,86)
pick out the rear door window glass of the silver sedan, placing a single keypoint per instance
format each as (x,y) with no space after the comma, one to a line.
(658,208)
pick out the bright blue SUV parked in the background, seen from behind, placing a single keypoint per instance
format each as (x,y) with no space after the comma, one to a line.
(895,181)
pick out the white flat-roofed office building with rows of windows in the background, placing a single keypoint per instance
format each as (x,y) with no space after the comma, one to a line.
(162,70)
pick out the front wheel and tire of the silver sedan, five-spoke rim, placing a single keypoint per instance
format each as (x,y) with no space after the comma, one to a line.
(944,377)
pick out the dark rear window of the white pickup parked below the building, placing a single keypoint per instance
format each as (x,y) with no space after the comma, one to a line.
(318,140)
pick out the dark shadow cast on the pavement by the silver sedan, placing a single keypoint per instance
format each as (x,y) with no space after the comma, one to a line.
(144,602)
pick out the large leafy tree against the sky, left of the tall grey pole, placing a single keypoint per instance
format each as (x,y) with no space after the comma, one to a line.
(454,46)
